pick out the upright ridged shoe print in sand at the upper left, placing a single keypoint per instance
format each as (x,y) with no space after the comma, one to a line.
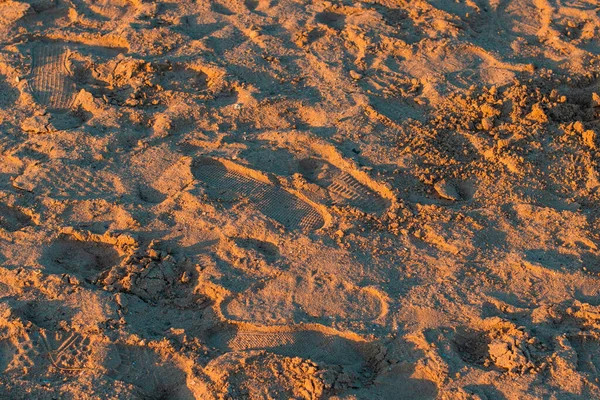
(51,83)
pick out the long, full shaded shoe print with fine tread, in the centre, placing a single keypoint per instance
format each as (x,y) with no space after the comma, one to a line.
(273,201)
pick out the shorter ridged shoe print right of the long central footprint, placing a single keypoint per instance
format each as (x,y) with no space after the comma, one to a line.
(345,188)
